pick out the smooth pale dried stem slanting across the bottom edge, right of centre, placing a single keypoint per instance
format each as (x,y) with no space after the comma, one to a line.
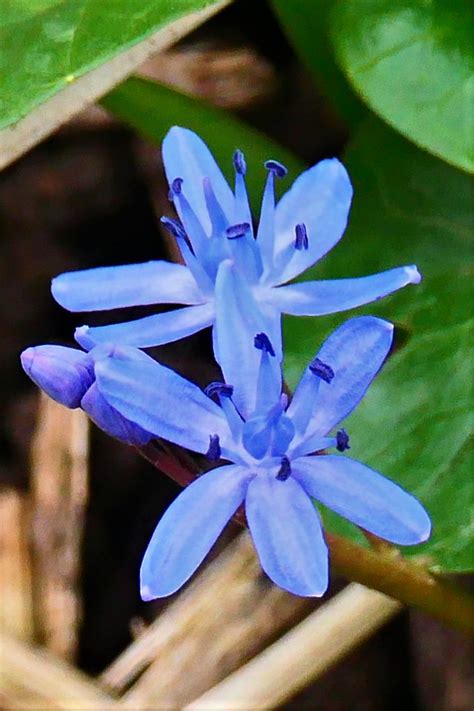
(303,654)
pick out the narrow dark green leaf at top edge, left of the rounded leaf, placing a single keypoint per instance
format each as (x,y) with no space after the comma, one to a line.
(306,24)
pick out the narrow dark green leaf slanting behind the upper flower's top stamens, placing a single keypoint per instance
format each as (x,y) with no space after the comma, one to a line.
(152,109)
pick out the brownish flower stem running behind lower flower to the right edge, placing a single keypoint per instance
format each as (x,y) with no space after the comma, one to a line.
(383,569)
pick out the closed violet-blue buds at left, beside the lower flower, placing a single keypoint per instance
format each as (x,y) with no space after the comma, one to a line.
(68,376)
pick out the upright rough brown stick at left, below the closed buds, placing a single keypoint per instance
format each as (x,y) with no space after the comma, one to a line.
(59,492)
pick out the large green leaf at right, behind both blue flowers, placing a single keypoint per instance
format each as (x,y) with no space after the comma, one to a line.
(415,421)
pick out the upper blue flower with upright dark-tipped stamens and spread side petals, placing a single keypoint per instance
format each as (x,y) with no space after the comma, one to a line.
(230,273)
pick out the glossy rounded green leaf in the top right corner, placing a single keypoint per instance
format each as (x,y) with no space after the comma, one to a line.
(413,63)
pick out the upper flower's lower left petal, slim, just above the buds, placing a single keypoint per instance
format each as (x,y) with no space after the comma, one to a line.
(151,330)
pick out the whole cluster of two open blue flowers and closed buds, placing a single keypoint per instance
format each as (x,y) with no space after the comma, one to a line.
(274,450)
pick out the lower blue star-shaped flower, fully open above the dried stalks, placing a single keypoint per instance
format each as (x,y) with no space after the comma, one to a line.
(272,470)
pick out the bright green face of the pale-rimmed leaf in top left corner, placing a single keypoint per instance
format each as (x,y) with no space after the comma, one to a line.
(45,45)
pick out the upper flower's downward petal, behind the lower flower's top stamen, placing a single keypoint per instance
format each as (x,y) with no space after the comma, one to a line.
(238,320)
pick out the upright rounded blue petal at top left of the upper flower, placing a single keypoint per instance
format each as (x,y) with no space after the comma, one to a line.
(186,156)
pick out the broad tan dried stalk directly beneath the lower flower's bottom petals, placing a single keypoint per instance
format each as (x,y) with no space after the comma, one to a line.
(225,617)
